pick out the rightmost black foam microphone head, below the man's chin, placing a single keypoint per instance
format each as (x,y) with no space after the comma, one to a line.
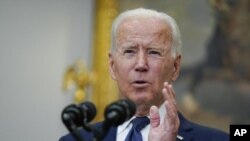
(118,112)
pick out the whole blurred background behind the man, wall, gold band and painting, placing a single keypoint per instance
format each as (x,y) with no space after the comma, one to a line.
(54,53)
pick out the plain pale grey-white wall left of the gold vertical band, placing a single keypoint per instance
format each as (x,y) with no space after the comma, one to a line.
(38,40)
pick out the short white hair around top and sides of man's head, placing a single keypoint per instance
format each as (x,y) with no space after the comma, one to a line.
(148,13)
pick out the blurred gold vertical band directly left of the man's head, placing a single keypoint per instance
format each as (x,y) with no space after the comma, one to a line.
(104,90)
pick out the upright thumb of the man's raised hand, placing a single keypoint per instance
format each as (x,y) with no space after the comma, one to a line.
(154,117)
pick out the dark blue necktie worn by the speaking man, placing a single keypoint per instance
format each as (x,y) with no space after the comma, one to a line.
(138,123)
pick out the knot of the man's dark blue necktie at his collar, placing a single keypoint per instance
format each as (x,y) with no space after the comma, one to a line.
(140,122)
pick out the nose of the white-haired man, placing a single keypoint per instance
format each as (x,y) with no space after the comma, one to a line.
(141,62)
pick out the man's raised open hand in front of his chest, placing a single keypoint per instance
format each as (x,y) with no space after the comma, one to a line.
(167,131)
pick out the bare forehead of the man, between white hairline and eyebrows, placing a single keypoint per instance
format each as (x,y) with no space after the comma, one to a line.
(144,28)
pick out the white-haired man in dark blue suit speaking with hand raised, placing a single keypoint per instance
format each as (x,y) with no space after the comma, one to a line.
(144,60)
